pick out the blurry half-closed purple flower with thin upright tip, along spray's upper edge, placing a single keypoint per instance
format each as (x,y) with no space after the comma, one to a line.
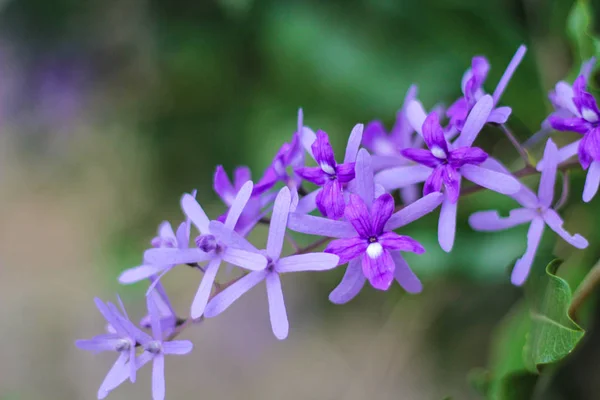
(289,155)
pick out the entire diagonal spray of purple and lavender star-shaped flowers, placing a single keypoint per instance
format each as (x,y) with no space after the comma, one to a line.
(350,207)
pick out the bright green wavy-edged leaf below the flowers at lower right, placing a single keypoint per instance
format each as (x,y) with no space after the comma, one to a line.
(537,332)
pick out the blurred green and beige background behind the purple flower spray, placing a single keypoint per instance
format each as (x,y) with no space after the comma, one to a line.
(111,109)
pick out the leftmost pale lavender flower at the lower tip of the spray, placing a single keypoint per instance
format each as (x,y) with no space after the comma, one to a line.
(121,338)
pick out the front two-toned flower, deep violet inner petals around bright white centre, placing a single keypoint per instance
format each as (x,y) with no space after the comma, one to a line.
(367,240)
